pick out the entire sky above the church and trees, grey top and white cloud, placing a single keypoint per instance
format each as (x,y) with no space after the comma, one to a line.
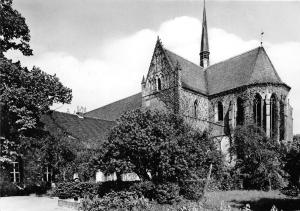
(102,48)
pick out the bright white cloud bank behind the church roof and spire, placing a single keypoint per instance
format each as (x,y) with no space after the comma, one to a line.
(116,70)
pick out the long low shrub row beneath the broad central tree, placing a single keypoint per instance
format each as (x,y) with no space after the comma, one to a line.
(164,193)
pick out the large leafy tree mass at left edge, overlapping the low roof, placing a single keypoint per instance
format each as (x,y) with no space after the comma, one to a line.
(25,95)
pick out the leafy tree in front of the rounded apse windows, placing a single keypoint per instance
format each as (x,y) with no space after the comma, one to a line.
(258,158)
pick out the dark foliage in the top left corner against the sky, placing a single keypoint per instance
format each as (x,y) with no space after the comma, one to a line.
(14,33)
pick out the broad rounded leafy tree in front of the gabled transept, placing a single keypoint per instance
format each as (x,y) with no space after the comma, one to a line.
(145,141)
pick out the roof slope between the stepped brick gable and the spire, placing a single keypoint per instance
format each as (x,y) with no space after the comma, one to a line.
(193,76)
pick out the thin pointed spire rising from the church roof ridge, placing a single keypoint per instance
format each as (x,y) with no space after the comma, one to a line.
(204,49)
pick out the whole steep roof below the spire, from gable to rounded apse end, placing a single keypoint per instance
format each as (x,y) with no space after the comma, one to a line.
(252,67)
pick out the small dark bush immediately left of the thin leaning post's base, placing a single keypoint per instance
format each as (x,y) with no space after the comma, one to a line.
(192,190)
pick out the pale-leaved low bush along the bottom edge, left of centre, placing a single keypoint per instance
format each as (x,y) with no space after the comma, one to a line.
(122,200)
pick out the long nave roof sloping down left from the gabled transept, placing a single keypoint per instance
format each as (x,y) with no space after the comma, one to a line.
(114,110)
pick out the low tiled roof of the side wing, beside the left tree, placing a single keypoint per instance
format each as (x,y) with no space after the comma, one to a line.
(89,131)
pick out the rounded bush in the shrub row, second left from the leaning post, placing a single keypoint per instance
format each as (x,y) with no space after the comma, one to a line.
(167,193)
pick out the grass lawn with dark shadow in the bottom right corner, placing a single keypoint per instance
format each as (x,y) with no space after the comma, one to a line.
(258,200)
